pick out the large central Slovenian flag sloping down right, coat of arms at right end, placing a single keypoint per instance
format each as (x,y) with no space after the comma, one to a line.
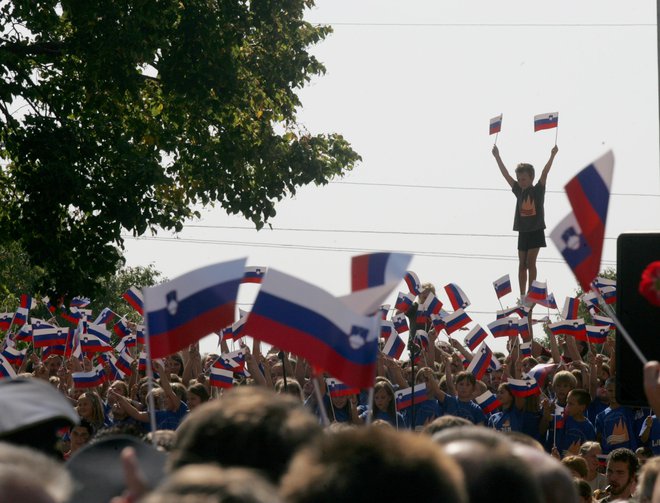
(302,318)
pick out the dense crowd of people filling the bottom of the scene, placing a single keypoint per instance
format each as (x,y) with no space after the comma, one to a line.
(280,430)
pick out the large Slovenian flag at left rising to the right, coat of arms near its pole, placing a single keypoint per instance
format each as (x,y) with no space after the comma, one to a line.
(182,311)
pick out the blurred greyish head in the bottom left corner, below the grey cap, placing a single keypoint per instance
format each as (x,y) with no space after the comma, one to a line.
(28,475)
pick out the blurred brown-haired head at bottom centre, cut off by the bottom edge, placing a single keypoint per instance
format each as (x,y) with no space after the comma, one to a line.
(360,465)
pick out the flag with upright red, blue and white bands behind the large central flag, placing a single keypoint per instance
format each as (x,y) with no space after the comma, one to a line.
(376,269)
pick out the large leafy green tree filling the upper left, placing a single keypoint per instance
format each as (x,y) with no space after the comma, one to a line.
(121,116)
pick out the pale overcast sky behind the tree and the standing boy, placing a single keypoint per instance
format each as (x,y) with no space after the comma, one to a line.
(412,85)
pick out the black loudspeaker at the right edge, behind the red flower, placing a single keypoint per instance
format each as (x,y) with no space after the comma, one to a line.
(640,318)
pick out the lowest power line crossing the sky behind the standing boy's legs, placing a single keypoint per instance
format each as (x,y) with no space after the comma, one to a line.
(472,256)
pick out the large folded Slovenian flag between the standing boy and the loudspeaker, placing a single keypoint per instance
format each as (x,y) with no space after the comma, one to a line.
(589,195)
